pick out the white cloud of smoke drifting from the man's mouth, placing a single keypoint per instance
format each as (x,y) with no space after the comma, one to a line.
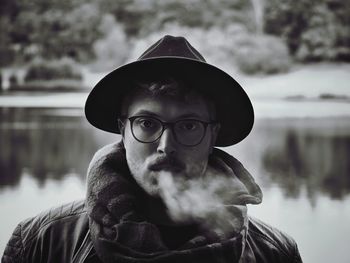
(216,202)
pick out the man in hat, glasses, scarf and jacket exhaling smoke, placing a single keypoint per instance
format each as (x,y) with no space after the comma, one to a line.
(164,193)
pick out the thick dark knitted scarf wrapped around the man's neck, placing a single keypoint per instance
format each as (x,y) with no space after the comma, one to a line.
(120,231)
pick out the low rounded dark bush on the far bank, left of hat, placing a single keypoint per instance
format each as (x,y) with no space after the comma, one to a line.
(53,70)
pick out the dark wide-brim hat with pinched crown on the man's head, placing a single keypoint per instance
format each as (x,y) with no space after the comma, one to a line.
(176,57)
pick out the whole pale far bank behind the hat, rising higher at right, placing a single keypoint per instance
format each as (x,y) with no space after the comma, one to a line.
(319,90)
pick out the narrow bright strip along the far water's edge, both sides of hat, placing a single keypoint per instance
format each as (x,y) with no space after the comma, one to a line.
(263,107)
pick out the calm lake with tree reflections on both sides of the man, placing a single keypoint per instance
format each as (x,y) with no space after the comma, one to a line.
(302,165)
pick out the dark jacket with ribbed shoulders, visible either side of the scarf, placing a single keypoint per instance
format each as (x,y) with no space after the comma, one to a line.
(62,235)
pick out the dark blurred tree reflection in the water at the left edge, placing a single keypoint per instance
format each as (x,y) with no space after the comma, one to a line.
(44,144)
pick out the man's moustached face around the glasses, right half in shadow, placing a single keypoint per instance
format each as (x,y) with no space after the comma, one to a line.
(148,161)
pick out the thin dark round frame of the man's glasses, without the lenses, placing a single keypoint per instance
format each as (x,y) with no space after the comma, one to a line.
(171,125)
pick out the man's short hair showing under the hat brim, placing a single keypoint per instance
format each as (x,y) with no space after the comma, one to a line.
(166,87)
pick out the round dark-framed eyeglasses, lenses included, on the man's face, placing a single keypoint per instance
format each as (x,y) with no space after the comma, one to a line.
(187,132)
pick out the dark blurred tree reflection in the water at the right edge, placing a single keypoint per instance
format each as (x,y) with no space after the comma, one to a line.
(307,156)
